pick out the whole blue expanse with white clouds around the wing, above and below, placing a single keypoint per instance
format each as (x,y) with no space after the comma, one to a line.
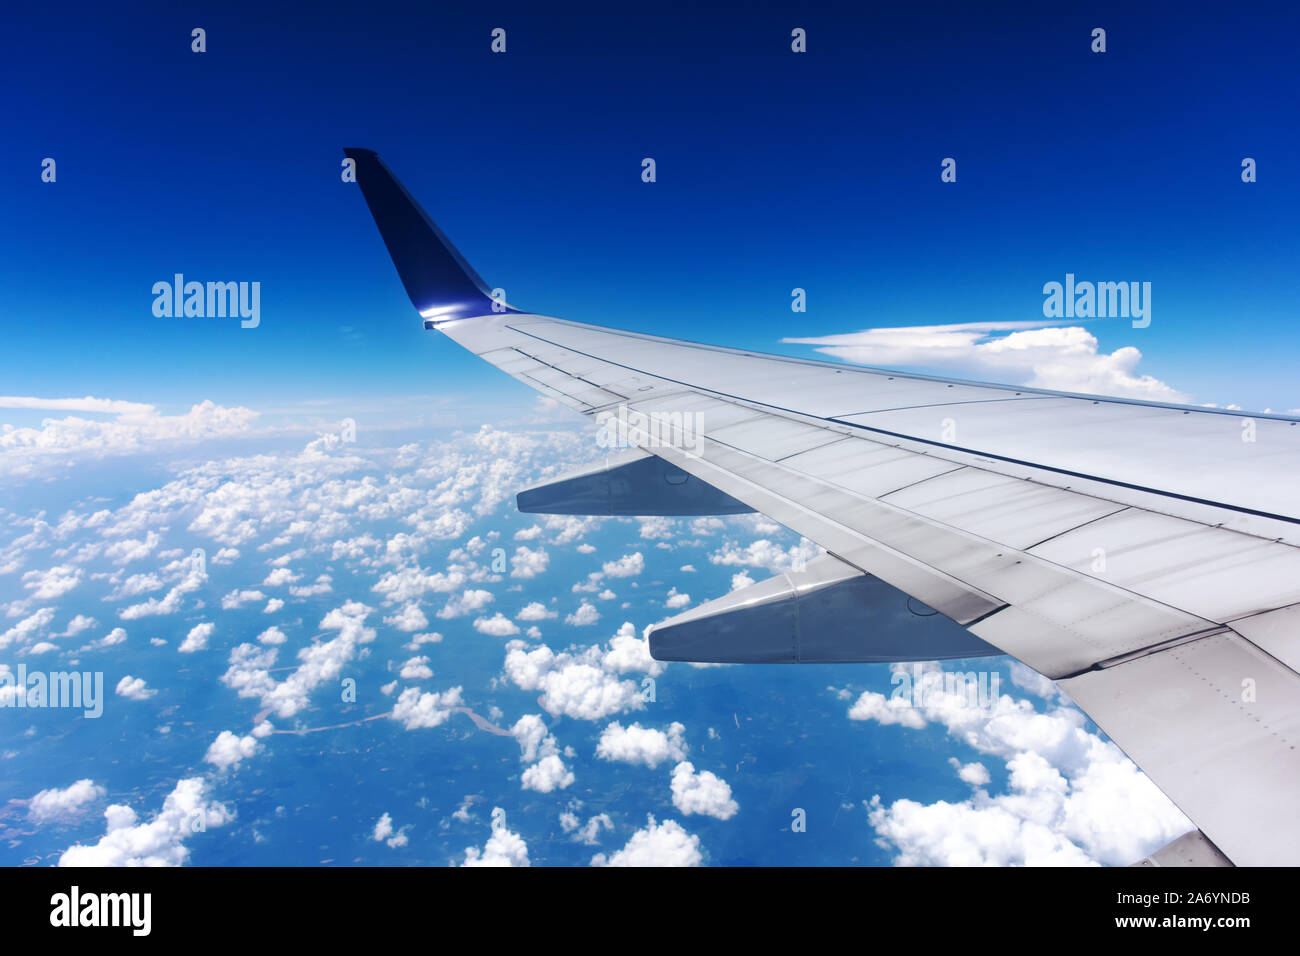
(775,171)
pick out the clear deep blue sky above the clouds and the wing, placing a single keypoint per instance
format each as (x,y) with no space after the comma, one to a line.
(775,171)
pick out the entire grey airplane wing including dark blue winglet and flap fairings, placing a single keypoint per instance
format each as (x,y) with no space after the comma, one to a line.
(1143,556)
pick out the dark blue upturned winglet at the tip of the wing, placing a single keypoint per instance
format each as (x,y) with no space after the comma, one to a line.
(441,284)
